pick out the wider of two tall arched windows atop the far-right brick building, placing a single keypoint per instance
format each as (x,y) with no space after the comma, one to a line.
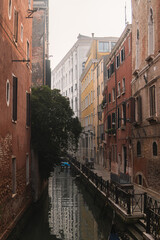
(150,33)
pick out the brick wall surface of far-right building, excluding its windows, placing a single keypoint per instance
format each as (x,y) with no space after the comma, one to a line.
(147,166)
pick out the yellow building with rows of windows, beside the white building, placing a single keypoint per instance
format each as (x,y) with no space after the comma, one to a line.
(99,48)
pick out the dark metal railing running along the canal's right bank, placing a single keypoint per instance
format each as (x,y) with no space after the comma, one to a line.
(129,201)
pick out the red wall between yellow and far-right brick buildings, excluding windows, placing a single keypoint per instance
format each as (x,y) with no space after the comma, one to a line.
(123,137)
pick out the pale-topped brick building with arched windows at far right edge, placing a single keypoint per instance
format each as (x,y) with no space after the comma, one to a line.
(145,90)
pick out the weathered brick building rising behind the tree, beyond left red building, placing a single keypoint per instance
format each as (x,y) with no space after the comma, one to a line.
(41,72)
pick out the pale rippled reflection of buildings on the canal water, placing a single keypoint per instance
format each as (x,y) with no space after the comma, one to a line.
(70,216)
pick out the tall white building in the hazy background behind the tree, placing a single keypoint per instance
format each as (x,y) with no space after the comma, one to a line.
(65,76)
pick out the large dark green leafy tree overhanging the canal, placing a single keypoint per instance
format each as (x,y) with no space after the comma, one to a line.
(54,130)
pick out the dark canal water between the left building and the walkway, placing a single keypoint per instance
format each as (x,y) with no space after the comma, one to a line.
(69,212)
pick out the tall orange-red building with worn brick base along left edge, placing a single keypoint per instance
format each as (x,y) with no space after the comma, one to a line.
(15,83)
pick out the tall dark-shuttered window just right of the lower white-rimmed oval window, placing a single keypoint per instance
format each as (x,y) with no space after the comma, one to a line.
(14,106)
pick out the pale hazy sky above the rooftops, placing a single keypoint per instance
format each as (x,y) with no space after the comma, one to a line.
(69,18)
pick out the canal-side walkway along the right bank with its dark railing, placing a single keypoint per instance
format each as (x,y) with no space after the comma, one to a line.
(132,205)
